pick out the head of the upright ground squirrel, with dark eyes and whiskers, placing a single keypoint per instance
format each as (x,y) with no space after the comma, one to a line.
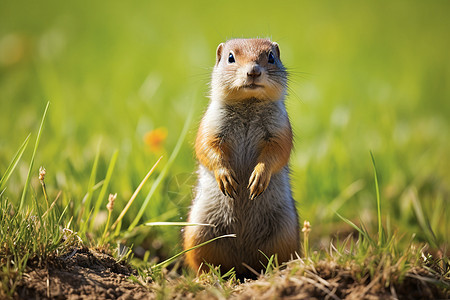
(248,69)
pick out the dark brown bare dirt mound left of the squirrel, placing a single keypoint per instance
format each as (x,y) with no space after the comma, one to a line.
(83,274)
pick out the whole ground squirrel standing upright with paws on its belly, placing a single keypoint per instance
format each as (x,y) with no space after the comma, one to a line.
(243,147)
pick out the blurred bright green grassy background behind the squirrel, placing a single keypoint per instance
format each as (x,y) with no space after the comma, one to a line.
(364,76)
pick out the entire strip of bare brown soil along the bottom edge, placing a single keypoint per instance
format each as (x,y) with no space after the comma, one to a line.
(87,274)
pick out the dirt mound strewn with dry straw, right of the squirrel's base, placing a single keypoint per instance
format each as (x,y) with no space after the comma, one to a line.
(327,280)
